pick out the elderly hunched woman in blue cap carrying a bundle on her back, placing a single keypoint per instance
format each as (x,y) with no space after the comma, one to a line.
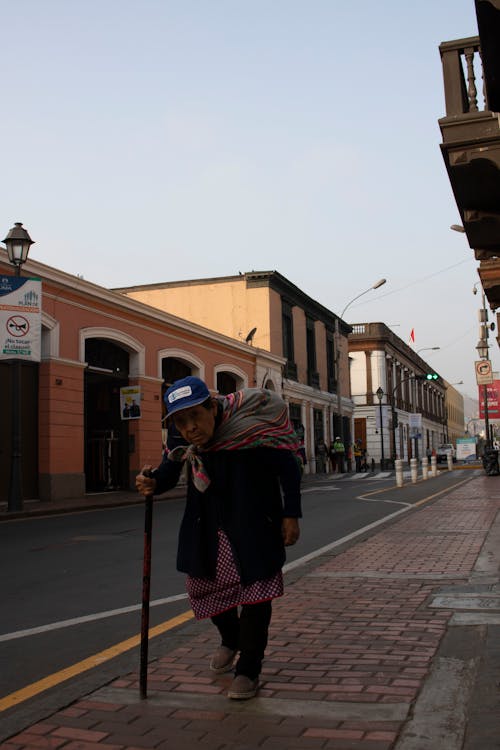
(242,510)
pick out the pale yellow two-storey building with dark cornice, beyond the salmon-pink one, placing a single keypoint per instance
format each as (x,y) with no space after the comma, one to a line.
(271,313)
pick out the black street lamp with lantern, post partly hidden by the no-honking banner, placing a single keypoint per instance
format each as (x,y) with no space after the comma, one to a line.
(18,243)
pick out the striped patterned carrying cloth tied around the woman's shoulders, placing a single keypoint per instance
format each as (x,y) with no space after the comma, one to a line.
(251,418)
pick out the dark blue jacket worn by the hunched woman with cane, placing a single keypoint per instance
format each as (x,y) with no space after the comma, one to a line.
(250,492)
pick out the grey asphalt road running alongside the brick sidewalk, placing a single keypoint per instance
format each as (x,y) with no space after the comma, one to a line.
(82,567)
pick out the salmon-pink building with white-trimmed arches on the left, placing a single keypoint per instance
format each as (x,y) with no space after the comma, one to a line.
(94,344)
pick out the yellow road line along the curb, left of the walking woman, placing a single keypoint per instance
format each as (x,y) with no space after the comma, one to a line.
(19,696)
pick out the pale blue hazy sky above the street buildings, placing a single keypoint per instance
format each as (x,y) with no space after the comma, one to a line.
(158,140)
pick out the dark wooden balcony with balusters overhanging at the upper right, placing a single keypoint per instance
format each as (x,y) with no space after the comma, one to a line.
(471,137)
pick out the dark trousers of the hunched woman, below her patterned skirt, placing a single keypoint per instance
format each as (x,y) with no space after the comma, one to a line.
(246,633)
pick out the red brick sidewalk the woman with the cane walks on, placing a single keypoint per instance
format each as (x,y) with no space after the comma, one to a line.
(352,642)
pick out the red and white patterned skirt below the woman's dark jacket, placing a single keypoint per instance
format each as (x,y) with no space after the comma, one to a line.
(211,597)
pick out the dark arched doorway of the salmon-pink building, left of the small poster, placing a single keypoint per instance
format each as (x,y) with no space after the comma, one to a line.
(106,435)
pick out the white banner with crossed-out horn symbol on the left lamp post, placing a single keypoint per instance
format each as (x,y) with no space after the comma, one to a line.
(20,318)
